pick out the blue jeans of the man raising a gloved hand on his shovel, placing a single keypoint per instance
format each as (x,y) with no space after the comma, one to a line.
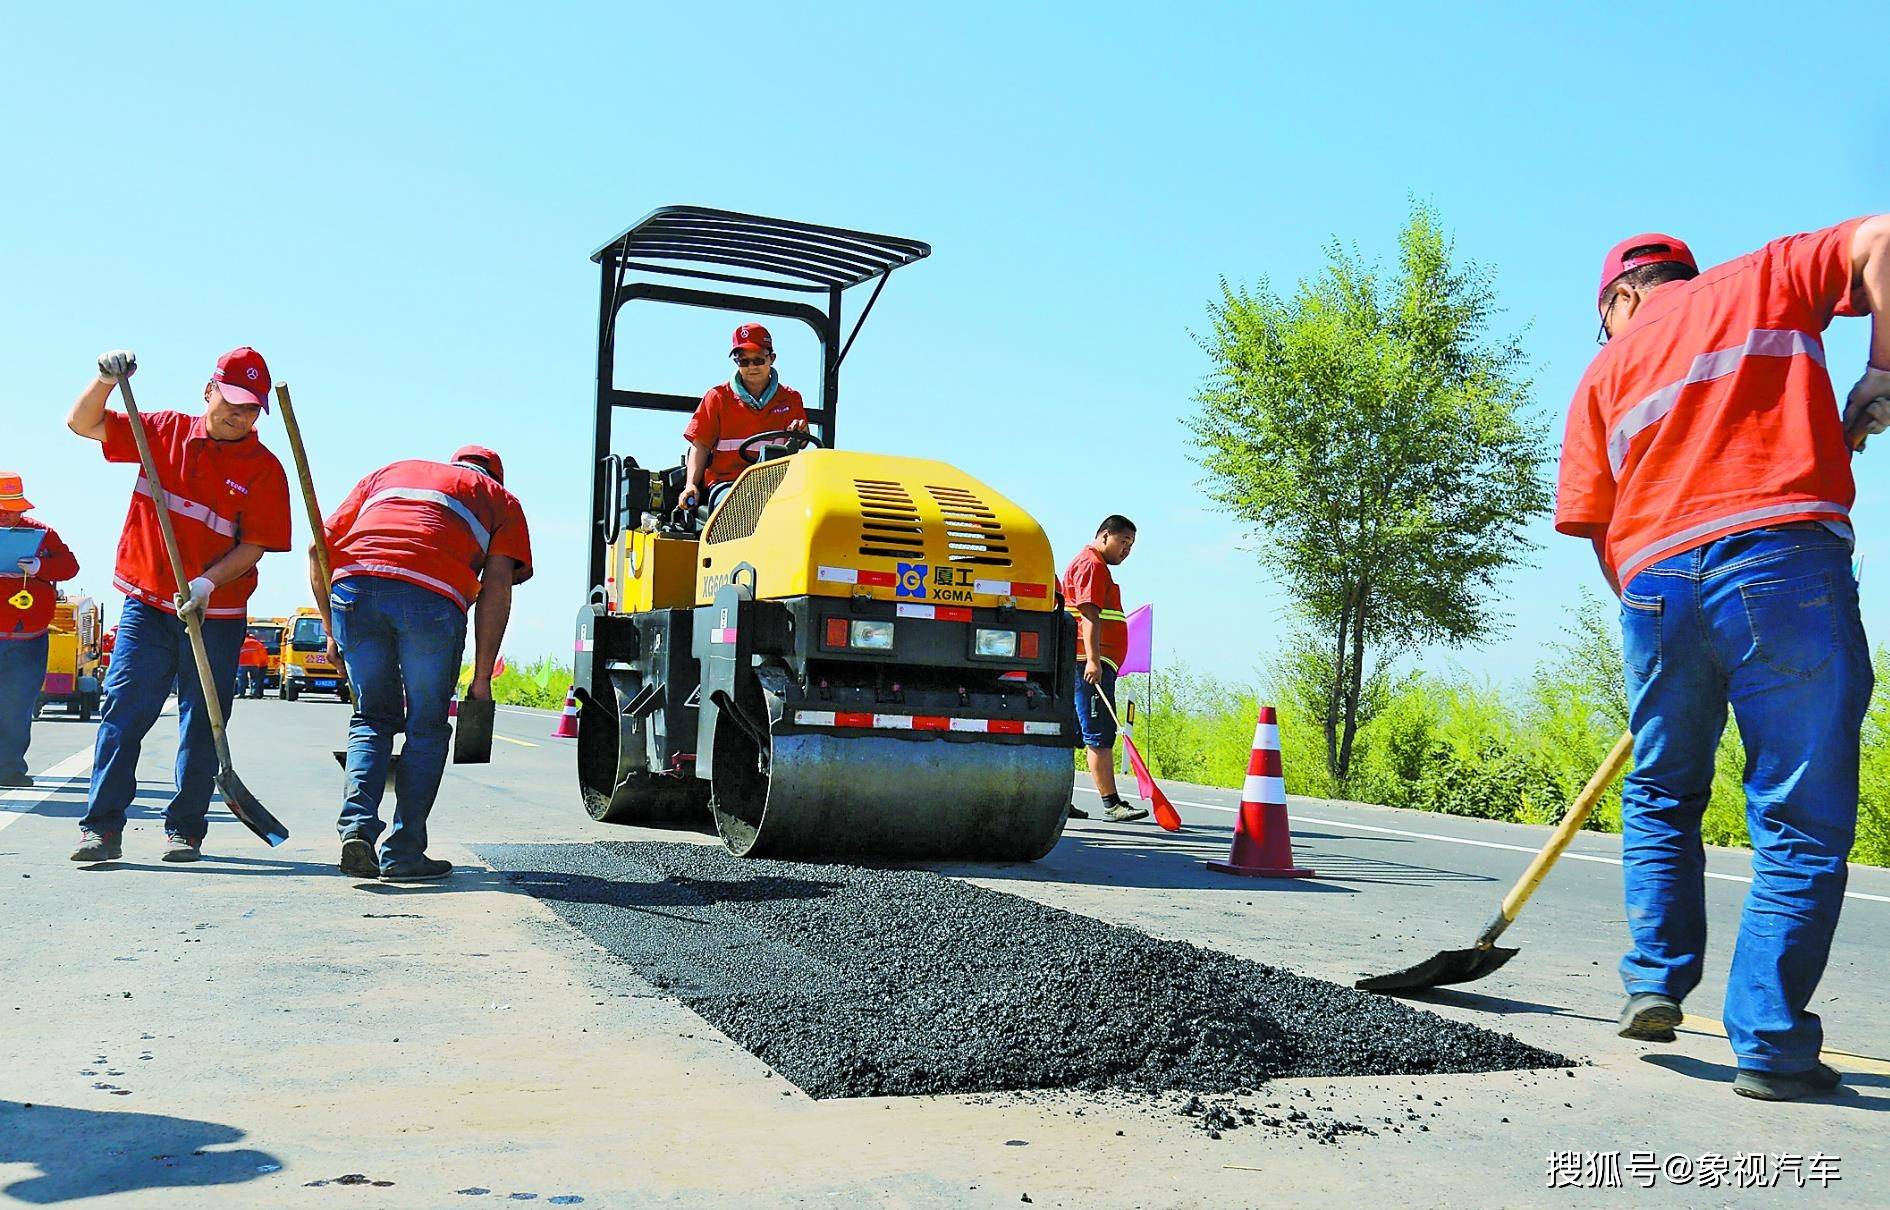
(154,655)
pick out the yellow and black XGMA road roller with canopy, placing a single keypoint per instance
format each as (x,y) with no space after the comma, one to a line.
(851,655)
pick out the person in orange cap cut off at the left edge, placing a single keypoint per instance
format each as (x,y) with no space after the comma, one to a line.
(27,598)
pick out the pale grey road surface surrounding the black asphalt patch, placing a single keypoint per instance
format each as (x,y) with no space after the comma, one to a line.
(254,1029)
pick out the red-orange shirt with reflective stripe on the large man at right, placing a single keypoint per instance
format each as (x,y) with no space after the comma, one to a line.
(1711,413)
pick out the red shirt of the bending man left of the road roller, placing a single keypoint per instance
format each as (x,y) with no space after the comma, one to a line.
(430,525)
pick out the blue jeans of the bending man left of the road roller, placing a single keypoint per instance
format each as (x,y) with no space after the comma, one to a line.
(398,640)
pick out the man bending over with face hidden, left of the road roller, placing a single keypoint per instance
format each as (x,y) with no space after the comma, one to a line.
(411,549)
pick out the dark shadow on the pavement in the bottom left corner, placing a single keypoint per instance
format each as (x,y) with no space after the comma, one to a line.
(97,1152)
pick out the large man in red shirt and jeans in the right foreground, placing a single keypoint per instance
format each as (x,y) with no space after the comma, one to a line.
(1708,462)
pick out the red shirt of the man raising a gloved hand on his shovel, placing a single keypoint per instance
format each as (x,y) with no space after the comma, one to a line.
(222,494)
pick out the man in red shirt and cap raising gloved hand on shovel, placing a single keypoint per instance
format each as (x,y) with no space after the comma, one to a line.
(230,502)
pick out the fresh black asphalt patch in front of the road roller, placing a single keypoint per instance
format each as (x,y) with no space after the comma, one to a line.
(863,982)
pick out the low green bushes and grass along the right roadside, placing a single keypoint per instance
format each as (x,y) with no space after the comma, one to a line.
(1460,744)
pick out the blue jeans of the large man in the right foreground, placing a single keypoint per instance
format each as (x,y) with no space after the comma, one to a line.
(1768,623)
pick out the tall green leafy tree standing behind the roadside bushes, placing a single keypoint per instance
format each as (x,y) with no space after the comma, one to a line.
(1371,434)
